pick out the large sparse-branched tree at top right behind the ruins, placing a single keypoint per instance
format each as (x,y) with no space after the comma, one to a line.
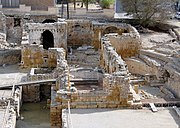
(148,11)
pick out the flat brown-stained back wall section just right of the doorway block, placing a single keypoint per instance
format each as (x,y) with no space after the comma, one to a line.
(79,32)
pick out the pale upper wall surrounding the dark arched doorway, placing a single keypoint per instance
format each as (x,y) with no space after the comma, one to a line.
(58,30)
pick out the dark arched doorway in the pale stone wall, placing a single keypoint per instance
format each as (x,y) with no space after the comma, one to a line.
(47,39)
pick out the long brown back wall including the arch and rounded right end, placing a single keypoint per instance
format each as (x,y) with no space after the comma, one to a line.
(88,32)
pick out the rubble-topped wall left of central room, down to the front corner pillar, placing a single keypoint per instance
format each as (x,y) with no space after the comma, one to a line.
(61,83)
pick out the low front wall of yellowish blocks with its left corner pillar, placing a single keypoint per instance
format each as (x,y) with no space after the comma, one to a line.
(94,99)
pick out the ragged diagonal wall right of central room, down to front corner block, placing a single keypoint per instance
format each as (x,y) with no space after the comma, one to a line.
(117,81)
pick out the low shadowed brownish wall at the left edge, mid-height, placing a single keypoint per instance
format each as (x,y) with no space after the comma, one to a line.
(10,56)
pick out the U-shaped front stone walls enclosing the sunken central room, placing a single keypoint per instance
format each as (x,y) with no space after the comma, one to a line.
(116,90)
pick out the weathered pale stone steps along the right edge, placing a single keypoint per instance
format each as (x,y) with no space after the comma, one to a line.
(167,66)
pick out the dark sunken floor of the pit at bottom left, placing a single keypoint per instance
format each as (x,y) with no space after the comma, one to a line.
(35,115)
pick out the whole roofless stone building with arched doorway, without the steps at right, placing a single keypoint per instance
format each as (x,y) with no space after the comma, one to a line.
(82,87)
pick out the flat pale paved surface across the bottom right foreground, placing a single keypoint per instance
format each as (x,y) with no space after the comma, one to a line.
(124,118)
